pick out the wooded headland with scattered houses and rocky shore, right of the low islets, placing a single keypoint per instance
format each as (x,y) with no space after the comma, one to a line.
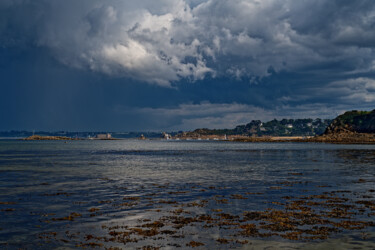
(350,127)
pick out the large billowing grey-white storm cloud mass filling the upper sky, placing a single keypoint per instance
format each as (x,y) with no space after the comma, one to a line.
(164,41)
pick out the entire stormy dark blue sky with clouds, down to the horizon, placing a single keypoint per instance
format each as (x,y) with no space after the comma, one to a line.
(169,65)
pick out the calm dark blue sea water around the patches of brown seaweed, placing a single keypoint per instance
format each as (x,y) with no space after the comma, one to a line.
(56,194)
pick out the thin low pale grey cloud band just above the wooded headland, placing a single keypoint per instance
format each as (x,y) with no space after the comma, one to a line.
(190,116)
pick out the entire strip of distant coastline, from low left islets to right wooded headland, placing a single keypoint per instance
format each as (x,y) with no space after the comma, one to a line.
(352,127)
